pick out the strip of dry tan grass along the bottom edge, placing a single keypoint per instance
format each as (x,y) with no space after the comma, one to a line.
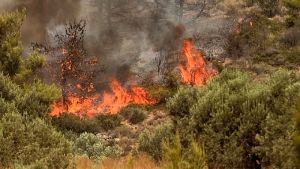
(141,162)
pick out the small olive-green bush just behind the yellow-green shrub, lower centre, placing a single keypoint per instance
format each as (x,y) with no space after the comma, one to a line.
(150,141)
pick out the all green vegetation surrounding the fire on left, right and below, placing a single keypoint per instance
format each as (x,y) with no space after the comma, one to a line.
(245,117)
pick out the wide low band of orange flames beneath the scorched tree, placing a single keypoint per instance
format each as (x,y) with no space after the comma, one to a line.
(110,102)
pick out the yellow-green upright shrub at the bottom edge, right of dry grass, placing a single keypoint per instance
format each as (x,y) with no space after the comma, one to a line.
(176,157)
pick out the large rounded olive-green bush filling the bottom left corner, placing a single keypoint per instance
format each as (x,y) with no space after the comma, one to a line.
(30,142)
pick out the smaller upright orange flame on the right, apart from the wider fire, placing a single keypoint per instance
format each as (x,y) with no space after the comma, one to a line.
(195,71)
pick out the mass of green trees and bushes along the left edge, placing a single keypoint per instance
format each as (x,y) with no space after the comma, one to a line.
(26,141)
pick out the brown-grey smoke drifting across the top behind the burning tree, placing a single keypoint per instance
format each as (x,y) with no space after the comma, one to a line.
(126,35)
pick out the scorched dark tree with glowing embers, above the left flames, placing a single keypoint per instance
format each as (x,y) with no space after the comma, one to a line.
(75,69)
